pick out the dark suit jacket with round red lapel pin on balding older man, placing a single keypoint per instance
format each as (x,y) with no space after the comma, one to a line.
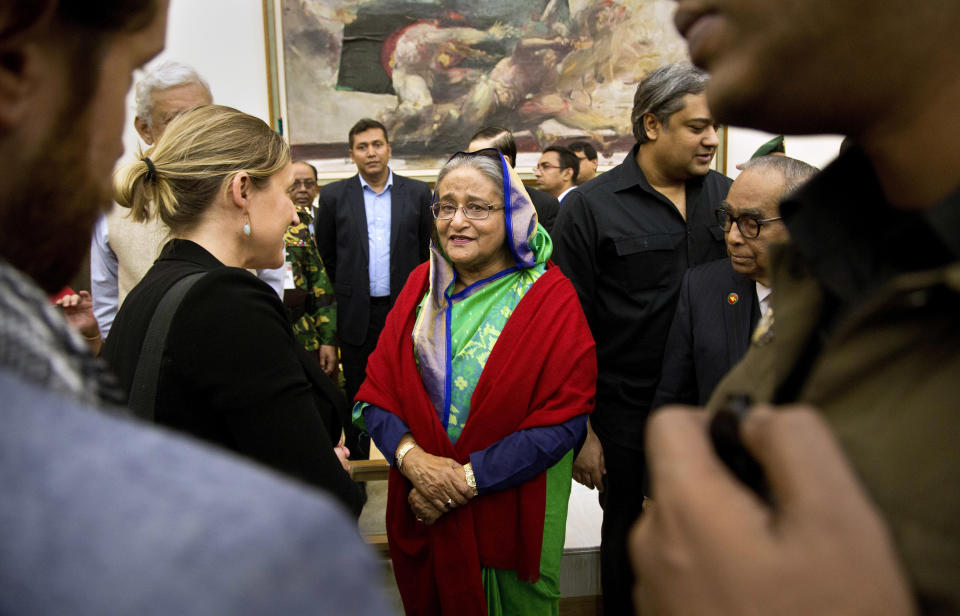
(709,333)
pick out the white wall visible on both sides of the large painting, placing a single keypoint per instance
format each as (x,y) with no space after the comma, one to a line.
(224,41)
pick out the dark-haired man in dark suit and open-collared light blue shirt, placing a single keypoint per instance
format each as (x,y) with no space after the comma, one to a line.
(372,229)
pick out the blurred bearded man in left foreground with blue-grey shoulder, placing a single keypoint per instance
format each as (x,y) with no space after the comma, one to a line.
(103,515)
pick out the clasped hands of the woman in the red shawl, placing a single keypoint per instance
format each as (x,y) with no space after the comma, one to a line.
(439,485)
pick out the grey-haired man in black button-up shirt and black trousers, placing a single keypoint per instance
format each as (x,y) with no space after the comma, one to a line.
(625,239)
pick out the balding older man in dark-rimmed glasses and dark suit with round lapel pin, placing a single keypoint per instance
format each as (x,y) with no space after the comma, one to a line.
(723,301)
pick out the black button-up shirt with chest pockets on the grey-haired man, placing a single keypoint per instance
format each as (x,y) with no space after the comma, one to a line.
(625,247)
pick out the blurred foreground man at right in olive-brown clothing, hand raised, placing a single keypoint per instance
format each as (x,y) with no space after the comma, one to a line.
(861,458)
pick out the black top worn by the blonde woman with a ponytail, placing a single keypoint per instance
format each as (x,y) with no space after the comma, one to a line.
(232,371)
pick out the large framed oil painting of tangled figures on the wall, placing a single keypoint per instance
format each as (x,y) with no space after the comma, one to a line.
(435,71)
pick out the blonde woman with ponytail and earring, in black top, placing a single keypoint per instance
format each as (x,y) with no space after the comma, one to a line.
(231,371)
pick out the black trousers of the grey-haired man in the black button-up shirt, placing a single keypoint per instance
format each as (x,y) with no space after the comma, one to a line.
(622,500)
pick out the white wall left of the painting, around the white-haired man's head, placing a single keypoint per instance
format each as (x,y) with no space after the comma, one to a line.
(224,41)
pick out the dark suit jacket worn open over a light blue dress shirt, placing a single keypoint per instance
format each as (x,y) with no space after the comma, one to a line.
(341,231)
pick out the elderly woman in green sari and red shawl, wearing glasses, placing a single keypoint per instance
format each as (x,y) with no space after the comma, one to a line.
(478,392)
